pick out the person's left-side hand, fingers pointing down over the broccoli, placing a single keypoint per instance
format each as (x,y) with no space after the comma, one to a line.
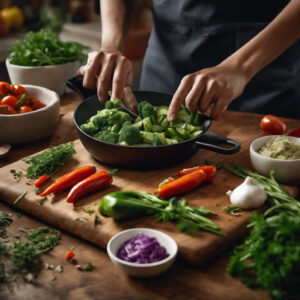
(109,68)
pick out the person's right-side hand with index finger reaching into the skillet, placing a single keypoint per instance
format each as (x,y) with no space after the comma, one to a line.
(212,88)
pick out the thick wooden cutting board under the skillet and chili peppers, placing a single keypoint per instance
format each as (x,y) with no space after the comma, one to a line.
(197,249)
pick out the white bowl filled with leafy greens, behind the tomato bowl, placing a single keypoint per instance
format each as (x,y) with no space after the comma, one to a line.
(51,77)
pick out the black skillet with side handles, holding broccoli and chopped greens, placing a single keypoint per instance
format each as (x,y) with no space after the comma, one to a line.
(142,157)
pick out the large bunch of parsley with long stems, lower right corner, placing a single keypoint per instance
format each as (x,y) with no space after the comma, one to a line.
(270,256)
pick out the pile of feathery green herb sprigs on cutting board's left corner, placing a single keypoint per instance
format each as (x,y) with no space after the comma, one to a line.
(49,161)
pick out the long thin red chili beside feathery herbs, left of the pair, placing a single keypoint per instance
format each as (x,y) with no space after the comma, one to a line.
(69,180)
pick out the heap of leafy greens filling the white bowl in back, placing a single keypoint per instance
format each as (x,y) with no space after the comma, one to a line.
(44,48)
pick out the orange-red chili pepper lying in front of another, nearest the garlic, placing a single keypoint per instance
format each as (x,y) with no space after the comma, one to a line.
(182,184)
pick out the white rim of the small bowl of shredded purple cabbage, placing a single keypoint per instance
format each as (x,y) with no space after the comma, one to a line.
(137,265)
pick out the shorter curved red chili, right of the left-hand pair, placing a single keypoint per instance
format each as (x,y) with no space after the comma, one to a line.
(89,185)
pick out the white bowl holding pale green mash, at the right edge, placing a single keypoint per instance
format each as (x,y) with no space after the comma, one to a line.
(286,171)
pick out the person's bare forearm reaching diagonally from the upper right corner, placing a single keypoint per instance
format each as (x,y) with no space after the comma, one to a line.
(281,33)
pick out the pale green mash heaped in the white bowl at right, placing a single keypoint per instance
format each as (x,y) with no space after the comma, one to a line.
(281,147)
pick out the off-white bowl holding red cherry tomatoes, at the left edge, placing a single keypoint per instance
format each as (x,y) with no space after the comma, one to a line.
(31,126)
